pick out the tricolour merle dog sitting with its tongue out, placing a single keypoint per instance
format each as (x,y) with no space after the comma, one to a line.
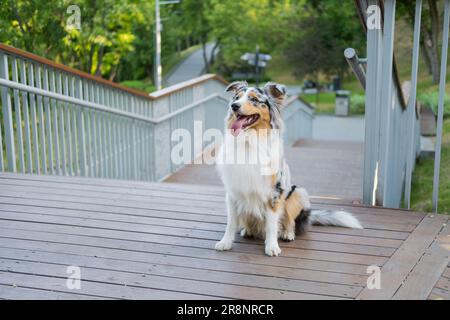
(260,198)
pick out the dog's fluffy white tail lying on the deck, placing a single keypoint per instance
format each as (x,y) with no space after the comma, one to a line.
(334,218)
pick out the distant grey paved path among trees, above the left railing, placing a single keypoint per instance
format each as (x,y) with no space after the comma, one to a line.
(193,66)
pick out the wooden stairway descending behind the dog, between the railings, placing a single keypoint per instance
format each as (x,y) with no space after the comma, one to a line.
(325,168)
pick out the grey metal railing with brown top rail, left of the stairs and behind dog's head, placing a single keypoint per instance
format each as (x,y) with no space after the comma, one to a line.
(58,120)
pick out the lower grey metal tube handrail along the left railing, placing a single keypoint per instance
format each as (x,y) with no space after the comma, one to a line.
(103,108)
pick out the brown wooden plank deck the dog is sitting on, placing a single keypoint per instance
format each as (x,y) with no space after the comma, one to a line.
(155,241)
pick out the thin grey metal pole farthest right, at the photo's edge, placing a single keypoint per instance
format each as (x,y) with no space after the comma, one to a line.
(437,155)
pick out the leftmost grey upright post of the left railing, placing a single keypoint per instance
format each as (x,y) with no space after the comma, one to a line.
(7,117)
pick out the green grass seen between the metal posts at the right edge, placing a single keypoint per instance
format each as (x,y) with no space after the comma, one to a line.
(422,184)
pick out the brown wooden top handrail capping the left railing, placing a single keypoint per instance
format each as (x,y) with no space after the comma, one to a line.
(87,76)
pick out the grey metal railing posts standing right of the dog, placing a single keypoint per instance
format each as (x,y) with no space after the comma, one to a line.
(392,138)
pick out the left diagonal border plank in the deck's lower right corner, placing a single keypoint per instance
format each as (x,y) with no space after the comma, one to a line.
(394,272)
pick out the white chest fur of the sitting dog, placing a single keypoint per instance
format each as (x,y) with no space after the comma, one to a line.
(248,181)
